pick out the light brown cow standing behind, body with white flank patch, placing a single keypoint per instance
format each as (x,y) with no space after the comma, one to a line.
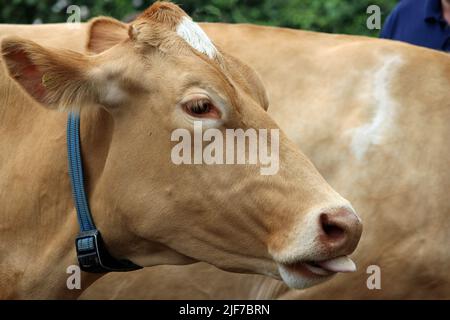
(374,117)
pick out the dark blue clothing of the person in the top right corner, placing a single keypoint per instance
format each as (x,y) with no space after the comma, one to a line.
(418,22)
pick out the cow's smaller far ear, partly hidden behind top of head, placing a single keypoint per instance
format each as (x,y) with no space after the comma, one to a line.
(104,33)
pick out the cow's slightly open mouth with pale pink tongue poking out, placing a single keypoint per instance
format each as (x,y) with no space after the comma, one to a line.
(303,274)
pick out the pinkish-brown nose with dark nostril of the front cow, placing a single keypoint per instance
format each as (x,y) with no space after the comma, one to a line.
(340,230)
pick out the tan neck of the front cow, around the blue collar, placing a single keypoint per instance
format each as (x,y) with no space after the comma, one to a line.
(38,222)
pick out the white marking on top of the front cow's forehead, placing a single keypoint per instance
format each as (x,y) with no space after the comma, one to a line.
(196,37)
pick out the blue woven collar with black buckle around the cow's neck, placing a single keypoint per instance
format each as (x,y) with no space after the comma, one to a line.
(91,250)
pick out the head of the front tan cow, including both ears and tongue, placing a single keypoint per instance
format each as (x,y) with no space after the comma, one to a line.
(162,74)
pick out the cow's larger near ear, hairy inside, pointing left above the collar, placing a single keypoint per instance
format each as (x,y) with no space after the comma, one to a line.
(54,78)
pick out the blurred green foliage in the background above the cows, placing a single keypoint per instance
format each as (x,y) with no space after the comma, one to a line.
(336,16)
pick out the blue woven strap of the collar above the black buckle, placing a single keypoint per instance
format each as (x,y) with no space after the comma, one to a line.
(76,173)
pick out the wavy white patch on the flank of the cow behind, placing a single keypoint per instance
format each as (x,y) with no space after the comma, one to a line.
(384,110)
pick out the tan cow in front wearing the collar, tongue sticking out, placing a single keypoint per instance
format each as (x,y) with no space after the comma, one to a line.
(162,74)
